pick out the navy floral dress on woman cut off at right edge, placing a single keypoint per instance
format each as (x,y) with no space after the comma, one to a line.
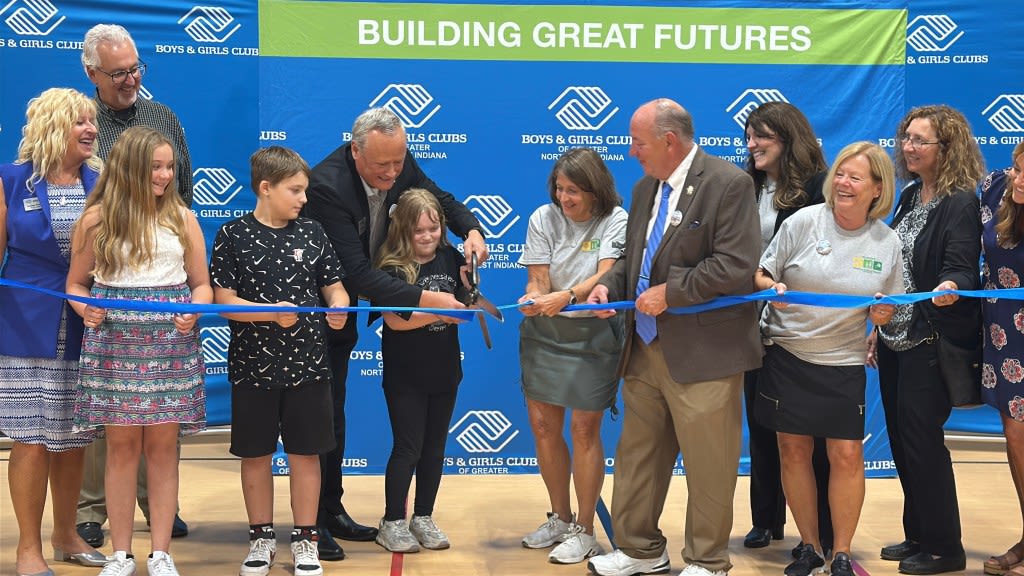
(1003,374)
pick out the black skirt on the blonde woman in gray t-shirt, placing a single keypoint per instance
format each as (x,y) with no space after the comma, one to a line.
(797,397)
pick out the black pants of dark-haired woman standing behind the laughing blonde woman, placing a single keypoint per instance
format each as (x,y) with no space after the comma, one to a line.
(767,498)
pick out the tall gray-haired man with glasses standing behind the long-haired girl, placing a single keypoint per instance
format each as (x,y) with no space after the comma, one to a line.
(111,61)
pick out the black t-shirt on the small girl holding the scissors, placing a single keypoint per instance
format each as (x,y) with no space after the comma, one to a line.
(428,358)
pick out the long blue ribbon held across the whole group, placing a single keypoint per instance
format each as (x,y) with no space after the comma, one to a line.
(793,298)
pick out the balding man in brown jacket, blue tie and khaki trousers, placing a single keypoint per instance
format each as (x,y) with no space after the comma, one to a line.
(693,236)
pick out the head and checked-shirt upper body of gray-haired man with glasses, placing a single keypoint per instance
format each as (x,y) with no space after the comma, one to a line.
(111,61)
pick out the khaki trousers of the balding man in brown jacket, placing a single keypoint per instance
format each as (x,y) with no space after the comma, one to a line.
(662,419)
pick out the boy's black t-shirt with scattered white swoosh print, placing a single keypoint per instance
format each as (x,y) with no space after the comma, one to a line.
(269,266)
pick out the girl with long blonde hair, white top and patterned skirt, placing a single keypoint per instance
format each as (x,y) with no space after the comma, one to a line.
(141,373)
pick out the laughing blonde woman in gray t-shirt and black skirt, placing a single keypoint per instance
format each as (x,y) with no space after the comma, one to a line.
(814,379)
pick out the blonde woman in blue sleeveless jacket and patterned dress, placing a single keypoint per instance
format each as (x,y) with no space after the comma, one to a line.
(41,195)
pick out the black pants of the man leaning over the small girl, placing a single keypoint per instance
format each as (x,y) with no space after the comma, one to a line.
(339,347)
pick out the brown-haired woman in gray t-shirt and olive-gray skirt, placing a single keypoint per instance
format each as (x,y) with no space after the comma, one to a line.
(570,359)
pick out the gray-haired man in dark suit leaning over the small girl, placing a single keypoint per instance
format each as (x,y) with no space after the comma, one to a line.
(352,193)
